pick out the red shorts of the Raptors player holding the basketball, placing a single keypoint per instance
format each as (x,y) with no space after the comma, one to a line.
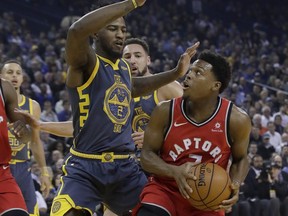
(166,195)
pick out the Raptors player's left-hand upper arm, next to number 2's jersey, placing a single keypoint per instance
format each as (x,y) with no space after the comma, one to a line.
(155,130)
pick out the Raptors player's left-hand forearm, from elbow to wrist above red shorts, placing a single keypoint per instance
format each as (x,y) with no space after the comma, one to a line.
(153,164)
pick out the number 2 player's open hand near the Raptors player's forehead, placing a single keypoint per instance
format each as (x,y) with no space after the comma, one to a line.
(185,59)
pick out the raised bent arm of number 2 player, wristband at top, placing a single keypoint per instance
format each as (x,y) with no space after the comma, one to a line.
(80,56)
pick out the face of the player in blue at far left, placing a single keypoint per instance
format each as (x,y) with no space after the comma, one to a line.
(13,73)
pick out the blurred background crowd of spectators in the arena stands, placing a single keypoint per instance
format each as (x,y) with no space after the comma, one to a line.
(251,34)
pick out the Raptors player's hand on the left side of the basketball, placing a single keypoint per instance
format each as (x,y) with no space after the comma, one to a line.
(181,174)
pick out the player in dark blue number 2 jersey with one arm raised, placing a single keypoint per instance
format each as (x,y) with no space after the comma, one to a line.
(100,166)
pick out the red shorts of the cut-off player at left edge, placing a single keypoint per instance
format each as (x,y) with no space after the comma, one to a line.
(10,197)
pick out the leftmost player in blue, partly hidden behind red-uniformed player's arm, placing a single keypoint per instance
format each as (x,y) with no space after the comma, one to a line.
(19,164)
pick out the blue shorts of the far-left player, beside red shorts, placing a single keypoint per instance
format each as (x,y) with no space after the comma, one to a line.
(22,175)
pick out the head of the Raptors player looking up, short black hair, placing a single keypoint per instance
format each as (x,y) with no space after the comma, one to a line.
(209,74)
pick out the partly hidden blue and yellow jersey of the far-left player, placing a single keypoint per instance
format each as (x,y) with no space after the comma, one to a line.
(21,151)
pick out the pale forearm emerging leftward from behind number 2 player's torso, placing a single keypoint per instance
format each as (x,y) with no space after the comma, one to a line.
(63,129)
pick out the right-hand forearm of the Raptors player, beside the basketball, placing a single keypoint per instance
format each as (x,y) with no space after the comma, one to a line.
(239,170)
